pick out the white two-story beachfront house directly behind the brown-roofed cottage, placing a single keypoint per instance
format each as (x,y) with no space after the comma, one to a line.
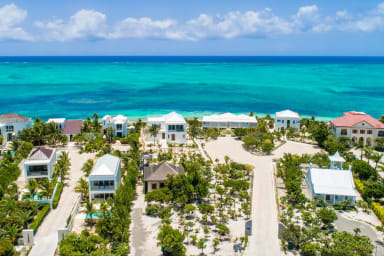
(173,128)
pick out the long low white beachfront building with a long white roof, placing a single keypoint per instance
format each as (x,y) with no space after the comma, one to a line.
(229,121)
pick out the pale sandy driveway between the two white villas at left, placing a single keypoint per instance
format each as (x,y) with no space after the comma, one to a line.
(46,237)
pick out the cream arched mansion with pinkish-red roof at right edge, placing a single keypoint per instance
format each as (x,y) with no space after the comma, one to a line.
(358,126)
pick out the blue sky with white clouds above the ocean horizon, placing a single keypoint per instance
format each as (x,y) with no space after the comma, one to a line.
(194,27)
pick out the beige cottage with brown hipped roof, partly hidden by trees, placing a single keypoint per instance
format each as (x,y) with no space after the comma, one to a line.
(154,176)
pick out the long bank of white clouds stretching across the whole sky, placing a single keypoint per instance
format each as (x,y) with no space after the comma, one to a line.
(89,24)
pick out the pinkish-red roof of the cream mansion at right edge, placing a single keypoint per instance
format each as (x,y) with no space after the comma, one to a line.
(352,118)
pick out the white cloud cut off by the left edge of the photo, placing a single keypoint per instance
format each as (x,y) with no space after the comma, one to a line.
(10,18)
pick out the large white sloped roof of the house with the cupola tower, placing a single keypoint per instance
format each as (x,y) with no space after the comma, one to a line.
(332,182)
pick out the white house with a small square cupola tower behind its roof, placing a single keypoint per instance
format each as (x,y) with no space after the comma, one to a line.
(333,185)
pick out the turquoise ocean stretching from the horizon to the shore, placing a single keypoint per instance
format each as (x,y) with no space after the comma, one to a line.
(76,87)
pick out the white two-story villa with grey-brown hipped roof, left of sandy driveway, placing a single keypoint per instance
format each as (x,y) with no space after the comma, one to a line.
(40,163)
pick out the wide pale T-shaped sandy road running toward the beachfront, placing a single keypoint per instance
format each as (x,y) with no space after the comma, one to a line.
(264,240)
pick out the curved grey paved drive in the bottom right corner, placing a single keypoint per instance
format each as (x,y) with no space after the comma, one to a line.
(344,224)
